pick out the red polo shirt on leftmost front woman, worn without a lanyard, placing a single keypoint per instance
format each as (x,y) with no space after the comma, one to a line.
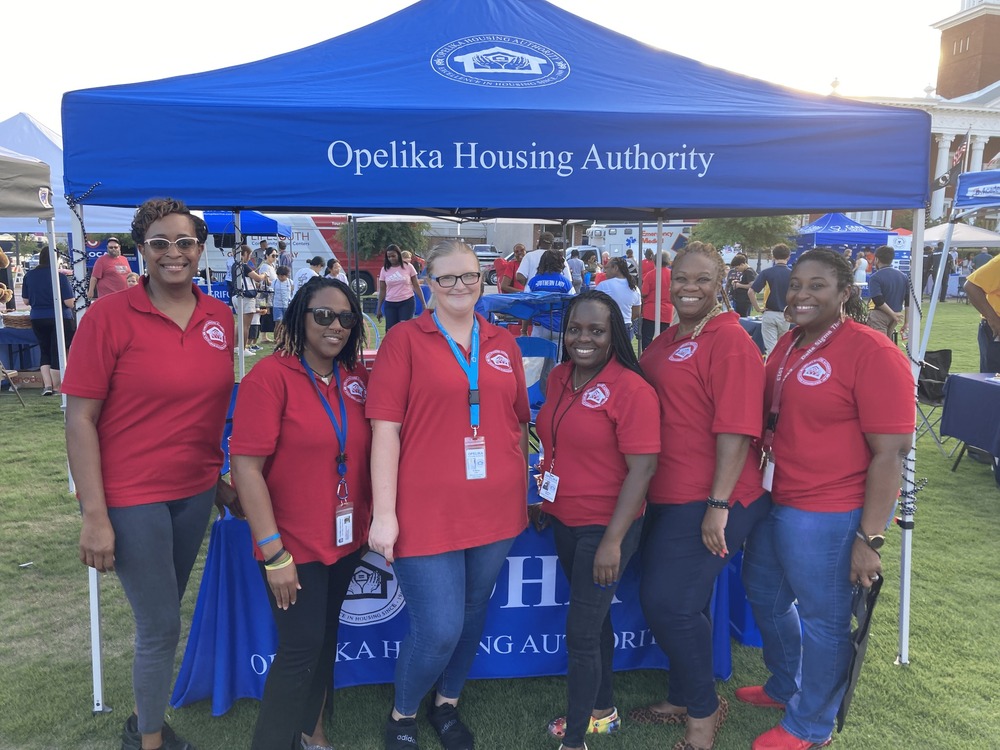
(165,394)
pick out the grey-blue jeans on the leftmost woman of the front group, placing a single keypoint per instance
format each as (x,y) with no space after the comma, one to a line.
(155,548)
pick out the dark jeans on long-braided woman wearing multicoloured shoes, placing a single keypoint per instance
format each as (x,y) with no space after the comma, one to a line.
(590,639)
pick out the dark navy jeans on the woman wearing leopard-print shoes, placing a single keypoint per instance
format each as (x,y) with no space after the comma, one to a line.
(678,573)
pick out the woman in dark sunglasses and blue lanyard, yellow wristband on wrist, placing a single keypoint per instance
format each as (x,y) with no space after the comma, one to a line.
(300,450)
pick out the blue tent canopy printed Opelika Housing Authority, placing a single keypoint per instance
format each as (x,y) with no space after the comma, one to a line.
(493,108)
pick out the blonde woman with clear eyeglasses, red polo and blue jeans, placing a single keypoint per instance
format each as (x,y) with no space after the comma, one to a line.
(448,392)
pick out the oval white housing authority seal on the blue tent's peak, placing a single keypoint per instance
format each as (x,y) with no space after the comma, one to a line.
(500,61)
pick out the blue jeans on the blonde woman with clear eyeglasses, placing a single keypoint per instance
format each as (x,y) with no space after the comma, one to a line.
(446,596)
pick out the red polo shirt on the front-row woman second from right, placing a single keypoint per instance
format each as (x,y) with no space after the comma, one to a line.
(710,385)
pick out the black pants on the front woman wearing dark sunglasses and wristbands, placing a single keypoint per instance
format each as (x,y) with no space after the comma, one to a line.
(307,649)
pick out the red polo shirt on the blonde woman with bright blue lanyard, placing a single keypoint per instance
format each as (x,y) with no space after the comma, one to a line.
(417,382)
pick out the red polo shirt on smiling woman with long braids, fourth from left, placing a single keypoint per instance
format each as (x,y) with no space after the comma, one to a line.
(592,430)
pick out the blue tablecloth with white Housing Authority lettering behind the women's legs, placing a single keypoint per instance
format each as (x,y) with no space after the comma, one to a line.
(232,640)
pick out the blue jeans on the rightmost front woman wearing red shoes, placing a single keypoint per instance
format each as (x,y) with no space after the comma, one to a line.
(804,557)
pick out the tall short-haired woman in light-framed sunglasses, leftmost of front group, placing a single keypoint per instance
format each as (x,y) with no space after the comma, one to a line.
(143,436)
